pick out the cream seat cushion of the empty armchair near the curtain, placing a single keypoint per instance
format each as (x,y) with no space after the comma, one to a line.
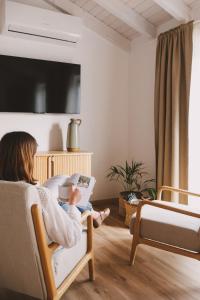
(169,227)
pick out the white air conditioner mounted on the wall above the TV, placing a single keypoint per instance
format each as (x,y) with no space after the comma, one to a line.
(33,21)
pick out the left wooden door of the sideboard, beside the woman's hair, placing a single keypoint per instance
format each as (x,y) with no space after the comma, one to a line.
(42,168)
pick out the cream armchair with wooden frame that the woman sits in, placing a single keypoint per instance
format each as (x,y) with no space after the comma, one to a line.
(28,265)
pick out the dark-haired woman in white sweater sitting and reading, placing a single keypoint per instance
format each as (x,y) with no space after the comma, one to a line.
(17,150)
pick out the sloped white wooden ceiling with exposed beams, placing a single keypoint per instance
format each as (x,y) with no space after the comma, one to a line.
(122,21)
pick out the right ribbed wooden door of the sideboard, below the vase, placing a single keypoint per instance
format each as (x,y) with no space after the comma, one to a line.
(70,163)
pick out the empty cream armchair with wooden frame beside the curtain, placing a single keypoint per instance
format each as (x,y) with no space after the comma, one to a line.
(167,225)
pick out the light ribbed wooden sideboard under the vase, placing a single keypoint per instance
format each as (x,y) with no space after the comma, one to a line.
(52,163)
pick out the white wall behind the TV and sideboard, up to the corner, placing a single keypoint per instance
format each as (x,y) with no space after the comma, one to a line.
(104,103)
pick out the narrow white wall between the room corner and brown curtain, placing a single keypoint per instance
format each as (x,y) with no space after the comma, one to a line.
(141,109)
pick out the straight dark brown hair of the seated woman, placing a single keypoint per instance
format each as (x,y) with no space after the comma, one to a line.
(17,150)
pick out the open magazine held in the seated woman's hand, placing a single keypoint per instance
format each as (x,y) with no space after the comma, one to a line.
(60,187)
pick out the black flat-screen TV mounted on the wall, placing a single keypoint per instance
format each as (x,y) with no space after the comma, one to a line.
(39,86)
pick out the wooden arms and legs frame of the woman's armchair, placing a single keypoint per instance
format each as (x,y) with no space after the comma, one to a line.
(46,252)
